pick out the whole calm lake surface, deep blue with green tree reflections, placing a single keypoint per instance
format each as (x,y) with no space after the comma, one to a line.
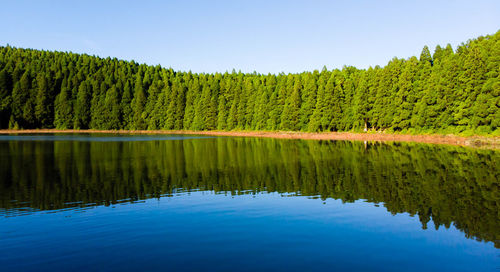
(193,203)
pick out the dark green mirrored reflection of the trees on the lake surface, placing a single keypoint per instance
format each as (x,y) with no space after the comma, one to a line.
(450,185)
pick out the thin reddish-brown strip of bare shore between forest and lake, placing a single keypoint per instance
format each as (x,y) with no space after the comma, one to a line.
(475,141)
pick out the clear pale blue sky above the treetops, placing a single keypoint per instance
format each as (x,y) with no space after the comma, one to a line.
(263,36)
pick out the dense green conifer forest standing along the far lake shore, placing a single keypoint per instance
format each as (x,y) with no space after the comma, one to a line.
(448,92)
